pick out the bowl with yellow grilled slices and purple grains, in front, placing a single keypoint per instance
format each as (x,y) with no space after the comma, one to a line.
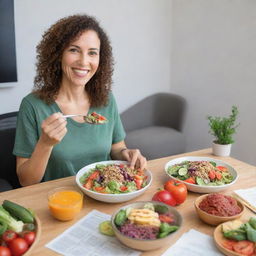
(146,225)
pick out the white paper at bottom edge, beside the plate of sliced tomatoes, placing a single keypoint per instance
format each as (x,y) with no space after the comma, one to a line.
(193,243)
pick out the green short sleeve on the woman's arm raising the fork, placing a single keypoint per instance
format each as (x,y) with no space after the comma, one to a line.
(26,131)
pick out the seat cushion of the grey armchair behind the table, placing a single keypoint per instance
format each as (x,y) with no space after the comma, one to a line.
(156,141)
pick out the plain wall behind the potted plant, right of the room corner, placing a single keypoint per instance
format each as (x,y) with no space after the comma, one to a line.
(213,67)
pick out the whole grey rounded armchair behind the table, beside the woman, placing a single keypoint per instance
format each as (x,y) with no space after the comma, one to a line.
(155,125)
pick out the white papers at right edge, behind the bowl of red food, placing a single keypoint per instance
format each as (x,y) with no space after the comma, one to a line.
(248,197)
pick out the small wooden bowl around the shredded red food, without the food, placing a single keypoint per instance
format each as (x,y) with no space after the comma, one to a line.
(213,219)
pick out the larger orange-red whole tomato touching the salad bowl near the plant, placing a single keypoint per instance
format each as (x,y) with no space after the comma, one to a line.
(178,190)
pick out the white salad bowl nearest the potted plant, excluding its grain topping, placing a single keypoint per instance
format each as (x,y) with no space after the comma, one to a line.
(183,174)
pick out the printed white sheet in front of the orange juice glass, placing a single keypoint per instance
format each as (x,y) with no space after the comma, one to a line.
(84,238)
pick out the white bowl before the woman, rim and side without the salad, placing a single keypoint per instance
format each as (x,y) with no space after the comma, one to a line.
(111,198)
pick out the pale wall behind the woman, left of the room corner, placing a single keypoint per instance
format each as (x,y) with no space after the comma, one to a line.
(140,35)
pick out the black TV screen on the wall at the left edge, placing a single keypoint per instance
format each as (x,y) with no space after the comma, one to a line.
(8,68)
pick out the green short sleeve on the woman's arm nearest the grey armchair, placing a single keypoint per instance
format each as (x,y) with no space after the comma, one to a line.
(118,131)
